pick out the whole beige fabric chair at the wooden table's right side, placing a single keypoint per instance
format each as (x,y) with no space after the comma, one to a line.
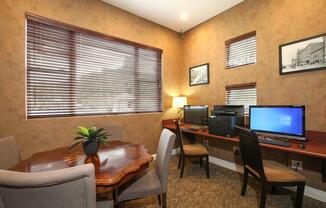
(155,182)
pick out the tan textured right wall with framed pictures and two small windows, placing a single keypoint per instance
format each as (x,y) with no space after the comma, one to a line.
(276,22)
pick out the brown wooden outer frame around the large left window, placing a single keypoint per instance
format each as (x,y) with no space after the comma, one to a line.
(72,28)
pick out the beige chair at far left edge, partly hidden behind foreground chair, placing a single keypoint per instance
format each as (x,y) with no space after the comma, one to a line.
(9,153)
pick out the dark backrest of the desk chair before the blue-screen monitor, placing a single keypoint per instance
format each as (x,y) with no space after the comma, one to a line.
(250,151)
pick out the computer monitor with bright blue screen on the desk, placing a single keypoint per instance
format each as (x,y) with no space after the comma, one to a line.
(284,121)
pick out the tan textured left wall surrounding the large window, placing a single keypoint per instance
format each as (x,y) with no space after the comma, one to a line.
(42,134)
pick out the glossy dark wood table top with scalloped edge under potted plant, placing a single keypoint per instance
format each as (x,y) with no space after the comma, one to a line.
(115,164)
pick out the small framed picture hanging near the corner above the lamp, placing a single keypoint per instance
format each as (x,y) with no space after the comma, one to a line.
(199,75)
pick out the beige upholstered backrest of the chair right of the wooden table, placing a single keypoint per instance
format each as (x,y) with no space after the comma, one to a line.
(164,152)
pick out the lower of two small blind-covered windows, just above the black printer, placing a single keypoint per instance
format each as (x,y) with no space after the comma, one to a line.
(243,94)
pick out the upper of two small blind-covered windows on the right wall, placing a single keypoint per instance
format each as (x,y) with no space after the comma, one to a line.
(241,50)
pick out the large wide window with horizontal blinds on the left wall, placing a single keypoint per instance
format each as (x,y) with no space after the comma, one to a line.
(73,71)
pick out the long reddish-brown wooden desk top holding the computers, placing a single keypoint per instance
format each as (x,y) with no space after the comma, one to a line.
(315,146)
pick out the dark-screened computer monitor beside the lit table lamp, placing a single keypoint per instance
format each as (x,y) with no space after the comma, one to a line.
(196,114)
